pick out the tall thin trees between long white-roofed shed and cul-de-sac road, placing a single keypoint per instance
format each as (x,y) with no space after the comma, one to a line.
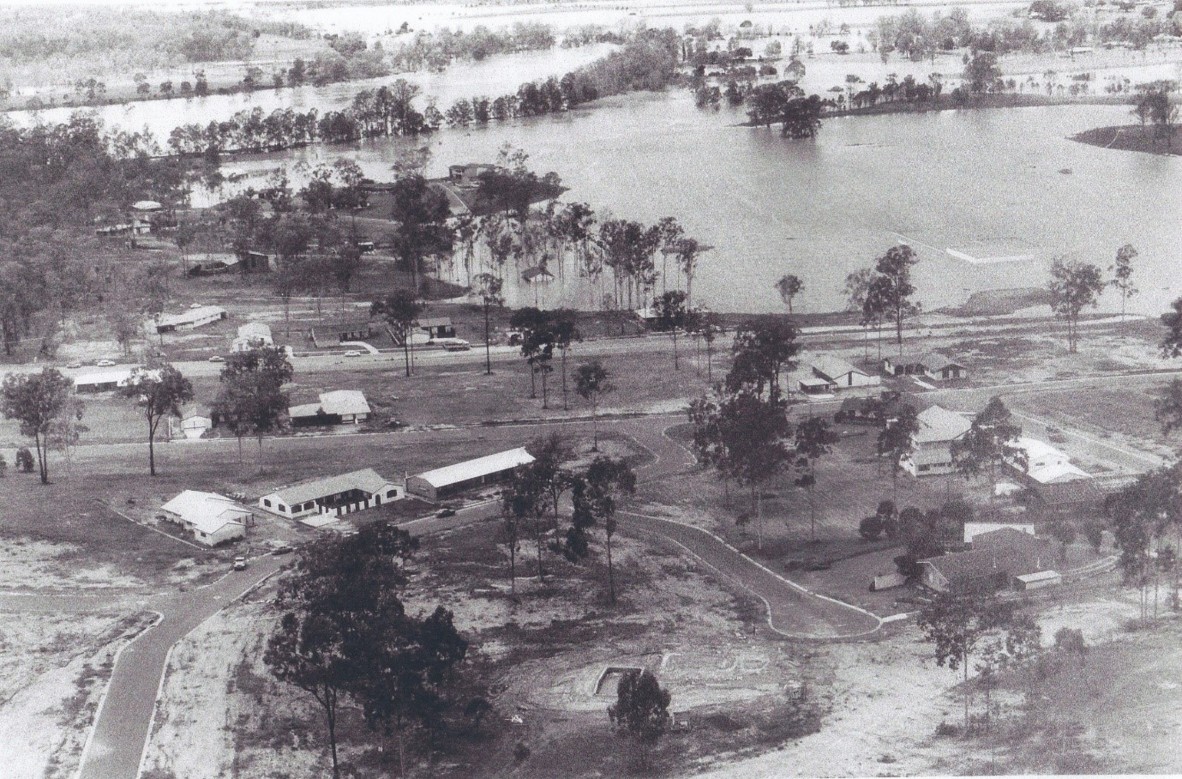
(531,507)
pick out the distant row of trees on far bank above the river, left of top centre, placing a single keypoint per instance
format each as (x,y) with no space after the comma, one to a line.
(437,50)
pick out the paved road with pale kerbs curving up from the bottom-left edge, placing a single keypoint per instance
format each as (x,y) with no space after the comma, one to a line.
(122,728)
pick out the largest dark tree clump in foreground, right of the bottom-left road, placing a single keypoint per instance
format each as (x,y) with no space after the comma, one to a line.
(346,638)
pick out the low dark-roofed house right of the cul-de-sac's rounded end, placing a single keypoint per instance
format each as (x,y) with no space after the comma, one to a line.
(996,560)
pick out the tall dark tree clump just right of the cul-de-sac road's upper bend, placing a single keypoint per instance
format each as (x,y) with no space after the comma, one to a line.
(745,433)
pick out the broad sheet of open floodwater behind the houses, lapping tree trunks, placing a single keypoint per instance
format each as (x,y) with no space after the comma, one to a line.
(1005,190)
